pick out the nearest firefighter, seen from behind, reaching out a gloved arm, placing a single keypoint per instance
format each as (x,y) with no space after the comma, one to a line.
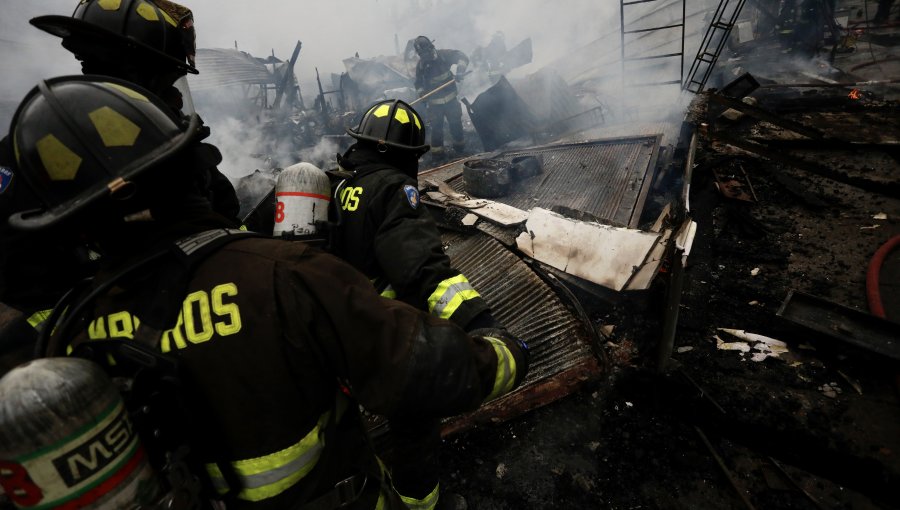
(276,343)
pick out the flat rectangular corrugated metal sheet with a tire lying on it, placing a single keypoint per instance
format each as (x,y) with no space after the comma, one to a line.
(607,179)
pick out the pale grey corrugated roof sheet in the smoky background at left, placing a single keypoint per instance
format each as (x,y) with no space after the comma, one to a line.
(221,67)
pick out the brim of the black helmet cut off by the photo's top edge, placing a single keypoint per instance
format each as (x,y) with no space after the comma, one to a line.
(67,27)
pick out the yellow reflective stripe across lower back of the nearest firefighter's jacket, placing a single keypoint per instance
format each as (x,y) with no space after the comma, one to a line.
(270,475)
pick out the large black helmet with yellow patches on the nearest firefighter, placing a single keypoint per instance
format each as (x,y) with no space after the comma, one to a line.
(77,139)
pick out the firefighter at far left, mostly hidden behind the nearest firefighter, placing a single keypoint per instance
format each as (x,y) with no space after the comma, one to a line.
(150,44)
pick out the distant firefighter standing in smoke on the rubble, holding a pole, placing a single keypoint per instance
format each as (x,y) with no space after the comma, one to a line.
(433,71)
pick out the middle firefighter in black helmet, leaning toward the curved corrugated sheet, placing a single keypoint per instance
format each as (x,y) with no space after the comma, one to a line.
(385,232)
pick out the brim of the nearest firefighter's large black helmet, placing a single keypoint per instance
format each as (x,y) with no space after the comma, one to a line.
(37,219)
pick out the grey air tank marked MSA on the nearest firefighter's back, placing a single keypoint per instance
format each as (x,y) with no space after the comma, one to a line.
(66,440)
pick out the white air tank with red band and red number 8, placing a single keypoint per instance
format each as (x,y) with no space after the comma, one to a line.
(302,194)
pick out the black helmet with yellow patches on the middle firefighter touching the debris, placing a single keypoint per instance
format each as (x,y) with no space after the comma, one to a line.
(392,123)
